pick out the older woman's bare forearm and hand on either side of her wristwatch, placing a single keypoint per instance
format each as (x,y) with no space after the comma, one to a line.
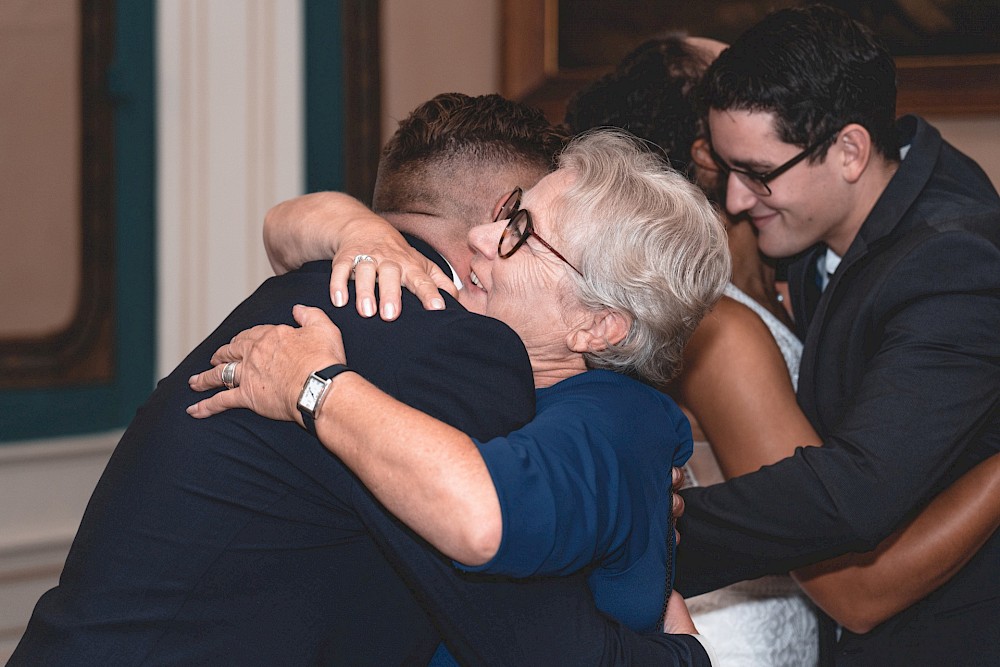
(437,482)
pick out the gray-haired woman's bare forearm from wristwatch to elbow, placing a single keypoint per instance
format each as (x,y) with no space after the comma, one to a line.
(428,474)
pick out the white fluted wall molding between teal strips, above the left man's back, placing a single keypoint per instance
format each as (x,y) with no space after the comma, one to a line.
(229,146)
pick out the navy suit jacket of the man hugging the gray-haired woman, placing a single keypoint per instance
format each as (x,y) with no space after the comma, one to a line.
(239,540)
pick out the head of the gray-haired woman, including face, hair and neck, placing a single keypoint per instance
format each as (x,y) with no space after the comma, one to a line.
(651,253)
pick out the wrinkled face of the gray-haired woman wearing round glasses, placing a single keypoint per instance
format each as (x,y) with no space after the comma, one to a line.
(532,289)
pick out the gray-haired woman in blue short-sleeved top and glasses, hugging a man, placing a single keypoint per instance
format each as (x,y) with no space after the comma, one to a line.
(603,268)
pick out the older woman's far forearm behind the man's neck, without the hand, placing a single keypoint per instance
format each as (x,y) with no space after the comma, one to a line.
(311,227)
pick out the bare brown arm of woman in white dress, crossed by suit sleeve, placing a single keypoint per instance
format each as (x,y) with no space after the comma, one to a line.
(736,384)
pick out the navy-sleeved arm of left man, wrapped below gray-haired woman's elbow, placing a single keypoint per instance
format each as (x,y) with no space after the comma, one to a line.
(525,622)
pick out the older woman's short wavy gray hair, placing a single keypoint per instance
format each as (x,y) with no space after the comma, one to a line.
(651,247)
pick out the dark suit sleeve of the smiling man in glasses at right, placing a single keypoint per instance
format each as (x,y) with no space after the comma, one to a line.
(920,389)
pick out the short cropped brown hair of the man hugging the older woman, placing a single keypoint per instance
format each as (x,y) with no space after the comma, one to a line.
(487,130)
